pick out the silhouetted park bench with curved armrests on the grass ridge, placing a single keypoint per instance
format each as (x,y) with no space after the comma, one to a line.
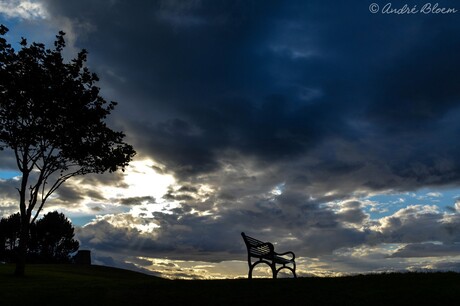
(264,252)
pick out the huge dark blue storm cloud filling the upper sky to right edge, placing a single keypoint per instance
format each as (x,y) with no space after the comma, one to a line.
(276,80)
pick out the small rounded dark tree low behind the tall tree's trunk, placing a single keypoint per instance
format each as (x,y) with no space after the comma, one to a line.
(52,239)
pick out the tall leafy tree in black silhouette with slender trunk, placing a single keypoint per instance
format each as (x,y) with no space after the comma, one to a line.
(52,118)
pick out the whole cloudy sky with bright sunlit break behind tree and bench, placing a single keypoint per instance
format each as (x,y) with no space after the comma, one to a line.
(327,127)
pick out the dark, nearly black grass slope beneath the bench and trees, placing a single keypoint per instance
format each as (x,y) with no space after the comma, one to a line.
(97,285)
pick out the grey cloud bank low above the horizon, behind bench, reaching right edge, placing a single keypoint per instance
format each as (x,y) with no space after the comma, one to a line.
(197,231)
